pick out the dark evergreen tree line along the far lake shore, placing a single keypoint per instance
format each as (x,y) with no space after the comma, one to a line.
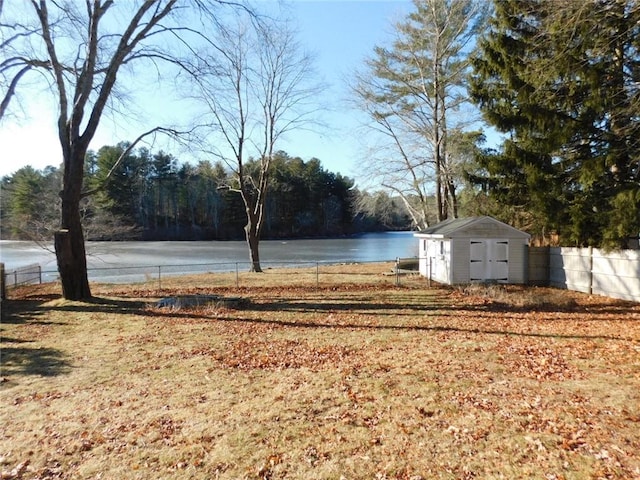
(152,196)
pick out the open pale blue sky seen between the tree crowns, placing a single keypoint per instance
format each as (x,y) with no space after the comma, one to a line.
(340,33)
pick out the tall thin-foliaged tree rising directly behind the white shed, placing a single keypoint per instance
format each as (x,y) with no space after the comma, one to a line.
(414,94)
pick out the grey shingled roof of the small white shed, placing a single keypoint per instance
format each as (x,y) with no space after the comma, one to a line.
(485,227)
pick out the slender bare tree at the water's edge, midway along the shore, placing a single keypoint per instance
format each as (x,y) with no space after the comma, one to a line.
(255,86)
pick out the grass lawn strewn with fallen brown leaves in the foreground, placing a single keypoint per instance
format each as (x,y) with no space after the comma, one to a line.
(353,379)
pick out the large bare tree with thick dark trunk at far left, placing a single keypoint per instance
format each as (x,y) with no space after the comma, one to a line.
(79,50)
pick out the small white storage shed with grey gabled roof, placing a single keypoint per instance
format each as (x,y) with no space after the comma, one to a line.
(475,249)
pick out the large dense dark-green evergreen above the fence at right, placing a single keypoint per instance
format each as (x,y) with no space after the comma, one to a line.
(562,79)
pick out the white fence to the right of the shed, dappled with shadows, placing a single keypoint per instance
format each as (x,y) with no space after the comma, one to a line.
(613,274)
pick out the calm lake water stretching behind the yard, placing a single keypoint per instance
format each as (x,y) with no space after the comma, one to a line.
(133,261)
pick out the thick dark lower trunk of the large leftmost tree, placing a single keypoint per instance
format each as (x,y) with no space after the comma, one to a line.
(69,240)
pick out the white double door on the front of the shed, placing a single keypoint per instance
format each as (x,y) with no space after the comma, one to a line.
(489,260)
